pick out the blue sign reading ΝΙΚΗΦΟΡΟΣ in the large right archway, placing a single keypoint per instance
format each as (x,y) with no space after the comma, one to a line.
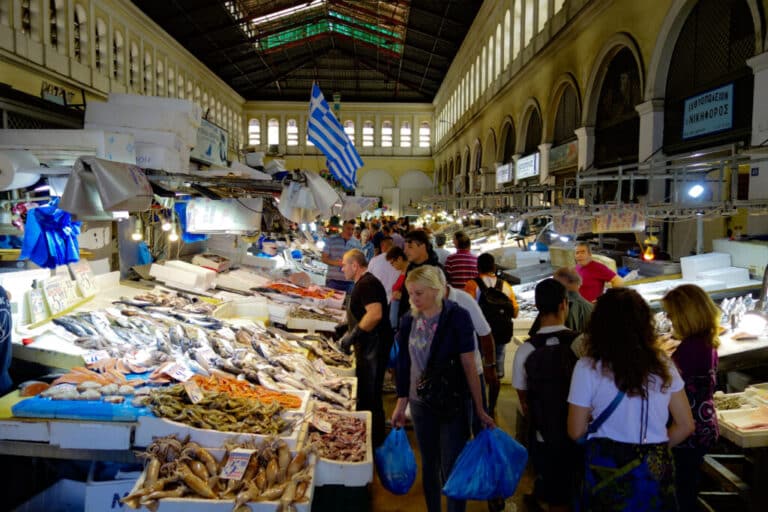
(708,112)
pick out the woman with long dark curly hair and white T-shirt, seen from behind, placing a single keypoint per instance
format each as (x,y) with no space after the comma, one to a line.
(632,388)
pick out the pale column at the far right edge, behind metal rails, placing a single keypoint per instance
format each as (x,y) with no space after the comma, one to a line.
(758,179)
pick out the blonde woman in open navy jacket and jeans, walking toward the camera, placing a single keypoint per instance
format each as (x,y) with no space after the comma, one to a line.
(436,336)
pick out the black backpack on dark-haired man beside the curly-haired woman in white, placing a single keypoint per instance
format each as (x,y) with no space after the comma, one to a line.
(549,369)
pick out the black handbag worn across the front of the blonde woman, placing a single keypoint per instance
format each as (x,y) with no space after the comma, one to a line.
(440,385)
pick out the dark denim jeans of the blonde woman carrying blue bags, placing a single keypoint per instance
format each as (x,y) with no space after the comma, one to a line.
(440,443)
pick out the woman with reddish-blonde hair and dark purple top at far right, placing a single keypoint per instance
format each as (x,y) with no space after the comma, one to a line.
(695,321)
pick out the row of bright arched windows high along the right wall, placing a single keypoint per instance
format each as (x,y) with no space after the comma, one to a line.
(519,25)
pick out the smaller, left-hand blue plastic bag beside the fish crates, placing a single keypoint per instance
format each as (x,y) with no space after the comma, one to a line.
(396,463)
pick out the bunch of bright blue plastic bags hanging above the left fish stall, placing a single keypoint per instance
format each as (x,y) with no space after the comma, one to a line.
(50,236)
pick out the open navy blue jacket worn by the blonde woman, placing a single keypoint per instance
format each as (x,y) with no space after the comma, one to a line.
(455,335)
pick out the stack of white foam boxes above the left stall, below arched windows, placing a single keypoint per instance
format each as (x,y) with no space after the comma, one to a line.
(165,129)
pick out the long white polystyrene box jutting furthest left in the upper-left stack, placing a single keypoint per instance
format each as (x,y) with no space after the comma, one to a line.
(145,118)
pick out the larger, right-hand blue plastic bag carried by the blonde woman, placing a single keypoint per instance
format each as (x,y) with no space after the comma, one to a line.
(489,466)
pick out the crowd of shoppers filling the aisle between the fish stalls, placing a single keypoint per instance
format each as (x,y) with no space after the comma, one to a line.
(592,371)
